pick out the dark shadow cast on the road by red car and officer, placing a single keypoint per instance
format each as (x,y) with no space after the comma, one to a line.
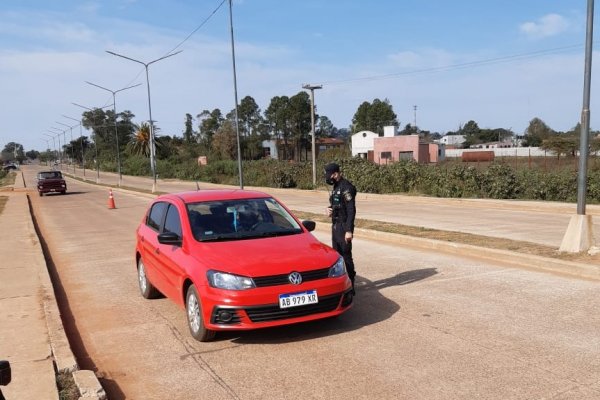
(370,307)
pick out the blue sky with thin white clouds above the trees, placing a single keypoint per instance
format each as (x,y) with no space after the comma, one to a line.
(440,63)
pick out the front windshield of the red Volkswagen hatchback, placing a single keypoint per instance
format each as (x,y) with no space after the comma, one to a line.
(240,219)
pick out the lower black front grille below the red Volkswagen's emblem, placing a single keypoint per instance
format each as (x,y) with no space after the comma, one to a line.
(274,313)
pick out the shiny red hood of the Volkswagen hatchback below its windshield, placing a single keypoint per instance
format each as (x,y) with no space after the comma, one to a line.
(265,256)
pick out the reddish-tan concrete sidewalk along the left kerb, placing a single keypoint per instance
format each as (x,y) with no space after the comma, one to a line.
(32,336)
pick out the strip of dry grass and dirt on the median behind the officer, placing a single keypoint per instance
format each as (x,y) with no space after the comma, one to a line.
(461,237)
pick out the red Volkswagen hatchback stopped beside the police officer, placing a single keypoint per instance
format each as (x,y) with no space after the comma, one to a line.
(237,260)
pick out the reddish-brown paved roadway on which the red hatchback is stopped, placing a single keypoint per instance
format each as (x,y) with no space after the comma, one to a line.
(424,326)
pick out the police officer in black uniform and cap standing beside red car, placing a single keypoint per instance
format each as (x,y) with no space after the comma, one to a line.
(342,210)
